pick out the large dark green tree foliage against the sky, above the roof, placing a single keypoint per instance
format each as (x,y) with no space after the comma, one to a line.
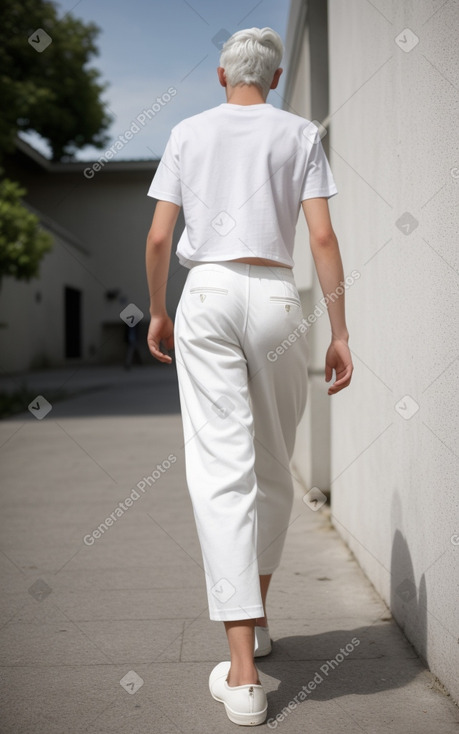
(54,92)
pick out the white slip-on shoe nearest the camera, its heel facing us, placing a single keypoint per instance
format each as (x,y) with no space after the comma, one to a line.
(244,705)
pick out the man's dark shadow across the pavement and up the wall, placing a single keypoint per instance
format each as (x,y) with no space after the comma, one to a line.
(361,660)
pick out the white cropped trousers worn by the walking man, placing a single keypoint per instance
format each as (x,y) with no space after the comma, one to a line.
(241,354)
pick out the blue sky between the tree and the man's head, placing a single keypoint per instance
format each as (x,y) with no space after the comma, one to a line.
(148,46)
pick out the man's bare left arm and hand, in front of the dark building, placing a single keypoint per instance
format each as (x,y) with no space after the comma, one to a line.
(157,259)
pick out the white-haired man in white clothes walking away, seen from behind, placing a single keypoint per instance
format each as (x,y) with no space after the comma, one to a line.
(241,171)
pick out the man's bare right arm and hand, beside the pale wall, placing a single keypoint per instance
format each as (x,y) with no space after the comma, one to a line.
(329,267)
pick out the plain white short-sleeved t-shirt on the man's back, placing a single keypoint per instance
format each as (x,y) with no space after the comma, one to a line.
(241,172)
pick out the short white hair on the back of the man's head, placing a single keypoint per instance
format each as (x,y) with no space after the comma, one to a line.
(251,56)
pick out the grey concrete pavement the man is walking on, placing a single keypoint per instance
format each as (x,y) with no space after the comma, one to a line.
(108,631)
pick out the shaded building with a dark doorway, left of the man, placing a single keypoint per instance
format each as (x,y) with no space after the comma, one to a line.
(99,220)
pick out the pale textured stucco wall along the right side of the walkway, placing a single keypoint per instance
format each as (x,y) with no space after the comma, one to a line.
(394,154)
